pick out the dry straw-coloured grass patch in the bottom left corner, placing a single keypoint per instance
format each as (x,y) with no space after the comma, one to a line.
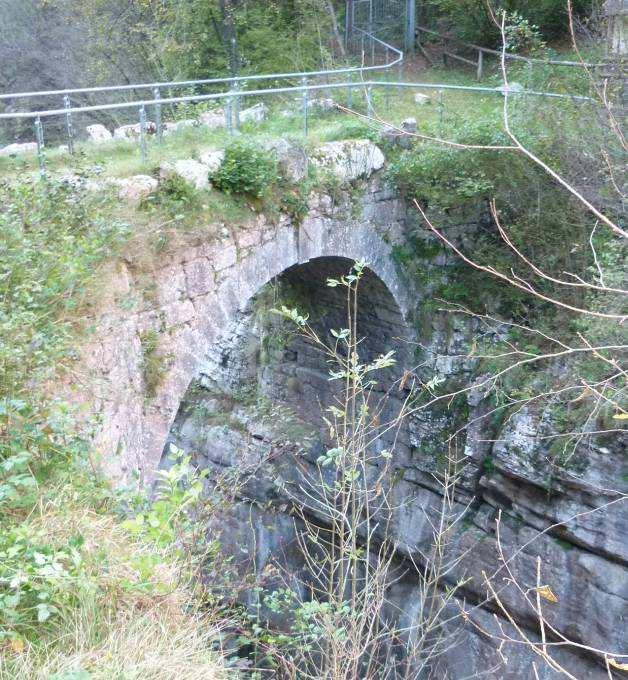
(134,618)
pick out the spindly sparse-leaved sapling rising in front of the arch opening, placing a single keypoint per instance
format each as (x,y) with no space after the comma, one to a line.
(341,631)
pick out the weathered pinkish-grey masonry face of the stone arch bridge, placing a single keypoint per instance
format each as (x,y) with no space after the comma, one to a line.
(197,293)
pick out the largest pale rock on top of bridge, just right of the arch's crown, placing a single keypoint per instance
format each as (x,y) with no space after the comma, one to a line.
(350,159)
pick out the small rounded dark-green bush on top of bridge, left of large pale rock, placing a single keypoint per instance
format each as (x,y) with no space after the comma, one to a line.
(246,169)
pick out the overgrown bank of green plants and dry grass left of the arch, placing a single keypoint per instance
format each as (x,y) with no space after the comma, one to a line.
(85,593)
